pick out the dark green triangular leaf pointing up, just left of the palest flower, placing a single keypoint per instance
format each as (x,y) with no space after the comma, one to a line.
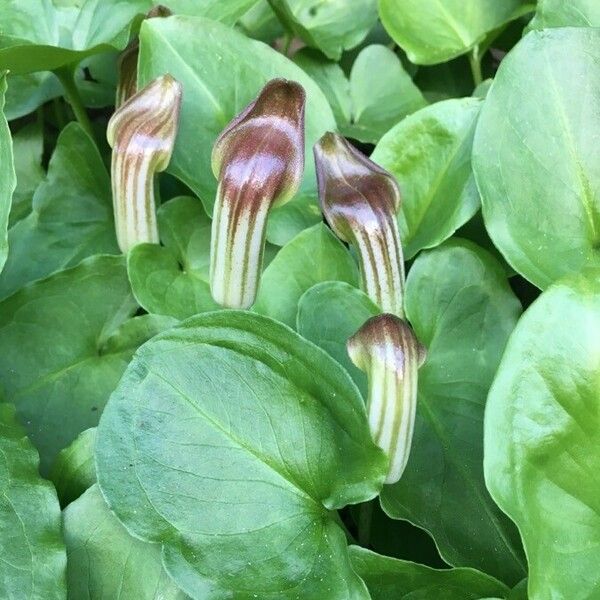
(71,217)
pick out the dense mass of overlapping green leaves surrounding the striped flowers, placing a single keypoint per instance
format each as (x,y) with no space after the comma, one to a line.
(155,445)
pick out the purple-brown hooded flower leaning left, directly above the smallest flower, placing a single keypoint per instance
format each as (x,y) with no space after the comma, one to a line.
(359,200)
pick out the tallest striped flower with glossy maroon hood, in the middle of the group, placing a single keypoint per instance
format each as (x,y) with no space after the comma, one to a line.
(258,161)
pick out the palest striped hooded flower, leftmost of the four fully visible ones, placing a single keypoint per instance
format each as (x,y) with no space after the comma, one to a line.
(142,135)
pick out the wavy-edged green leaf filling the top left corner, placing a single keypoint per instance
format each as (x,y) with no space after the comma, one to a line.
(43,36)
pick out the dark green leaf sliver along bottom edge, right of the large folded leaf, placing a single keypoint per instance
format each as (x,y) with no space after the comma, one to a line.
(393,579)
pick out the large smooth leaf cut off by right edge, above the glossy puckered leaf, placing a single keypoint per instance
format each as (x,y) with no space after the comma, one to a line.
(535,154)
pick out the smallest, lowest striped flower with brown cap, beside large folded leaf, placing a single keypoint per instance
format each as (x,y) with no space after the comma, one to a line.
(386,348)
